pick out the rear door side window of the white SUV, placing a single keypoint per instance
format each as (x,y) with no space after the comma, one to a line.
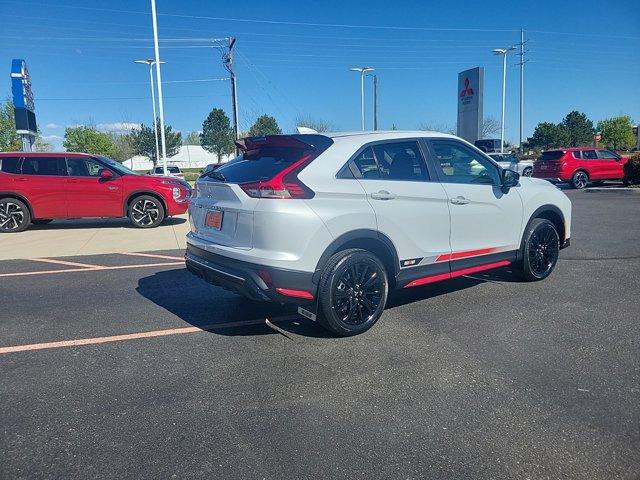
(401,161)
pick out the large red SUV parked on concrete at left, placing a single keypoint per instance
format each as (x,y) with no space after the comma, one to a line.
(38,187)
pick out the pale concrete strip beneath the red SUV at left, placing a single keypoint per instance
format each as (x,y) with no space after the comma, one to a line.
(92,236)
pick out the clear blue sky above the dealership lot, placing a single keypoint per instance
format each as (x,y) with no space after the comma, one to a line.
(293,58)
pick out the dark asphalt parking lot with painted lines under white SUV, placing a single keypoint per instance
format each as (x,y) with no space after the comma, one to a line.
(483,377)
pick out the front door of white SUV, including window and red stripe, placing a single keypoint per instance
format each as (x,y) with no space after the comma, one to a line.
(486,220)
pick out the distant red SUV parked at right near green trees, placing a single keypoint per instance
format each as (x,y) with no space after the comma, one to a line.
(579,166)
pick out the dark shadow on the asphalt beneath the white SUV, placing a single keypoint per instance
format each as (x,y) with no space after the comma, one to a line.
(224,313)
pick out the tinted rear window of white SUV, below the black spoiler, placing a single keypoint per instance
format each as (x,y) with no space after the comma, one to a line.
(265,157)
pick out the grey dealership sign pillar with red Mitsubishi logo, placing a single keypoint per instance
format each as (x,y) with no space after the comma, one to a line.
(469,95)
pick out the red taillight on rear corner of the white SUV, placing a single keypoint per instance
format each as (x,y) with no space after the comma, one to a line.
(283,185)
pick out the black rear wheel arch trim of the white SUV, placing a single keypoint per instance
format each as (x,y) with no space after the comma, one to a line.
(372,241)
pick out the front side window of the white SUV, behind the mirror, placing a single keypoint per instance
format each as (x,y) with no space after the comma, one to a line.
(460,164)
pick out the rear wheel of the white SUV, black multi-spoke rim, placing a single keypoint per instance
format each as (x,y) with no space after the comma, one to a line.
(352,293)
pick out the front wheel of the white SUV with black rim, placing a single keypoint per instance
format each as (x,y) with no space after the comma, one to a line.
(540,250)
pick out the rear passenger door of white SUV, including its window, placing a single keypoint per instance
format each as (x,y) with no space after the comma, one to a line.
(411,208)
